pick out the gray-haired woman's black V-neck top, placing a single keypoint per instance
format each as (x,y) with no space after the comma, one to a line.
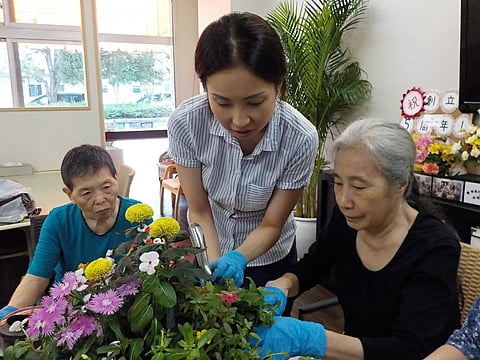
(403,311)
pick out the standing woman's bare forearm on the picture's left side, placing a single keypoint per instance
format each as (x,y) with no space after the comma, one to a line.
(199,207)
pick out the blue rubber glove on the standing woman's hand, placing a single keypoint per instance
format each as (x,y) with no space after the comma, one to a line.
(231,265)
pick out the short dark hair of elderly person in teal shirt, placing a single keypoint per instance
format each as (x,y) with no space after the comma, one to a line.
(85,160)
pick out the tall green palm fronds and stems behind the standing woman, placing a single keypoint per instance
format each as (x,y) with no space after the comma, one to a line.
(323,80)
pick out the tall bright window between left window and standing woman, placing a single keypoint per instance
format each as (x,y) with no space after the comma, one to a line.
(136,59)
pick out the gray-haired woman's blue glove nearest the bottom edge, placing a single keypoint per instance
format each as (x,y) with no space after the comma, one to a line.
(291,336)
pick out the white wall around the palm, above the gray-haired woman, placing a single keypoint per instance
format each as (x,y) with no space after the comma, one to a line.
(399,44)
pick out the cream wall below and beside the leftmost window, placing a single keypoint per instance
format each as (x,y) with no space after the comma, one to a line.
(41,138)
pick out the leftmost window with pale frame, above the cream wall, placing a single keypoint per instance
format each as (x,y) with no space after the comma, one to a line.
(41,48)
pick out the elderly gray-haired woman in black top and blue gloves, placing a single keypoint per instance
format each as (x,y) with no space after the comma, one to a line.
(395,263)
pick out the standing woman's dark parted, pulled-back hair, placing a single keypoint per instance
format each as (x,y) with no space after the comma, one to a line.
(241,39)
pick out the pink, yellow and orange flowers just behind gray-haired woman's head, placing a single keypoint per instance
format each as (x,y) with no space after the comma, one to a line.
(434,154)
